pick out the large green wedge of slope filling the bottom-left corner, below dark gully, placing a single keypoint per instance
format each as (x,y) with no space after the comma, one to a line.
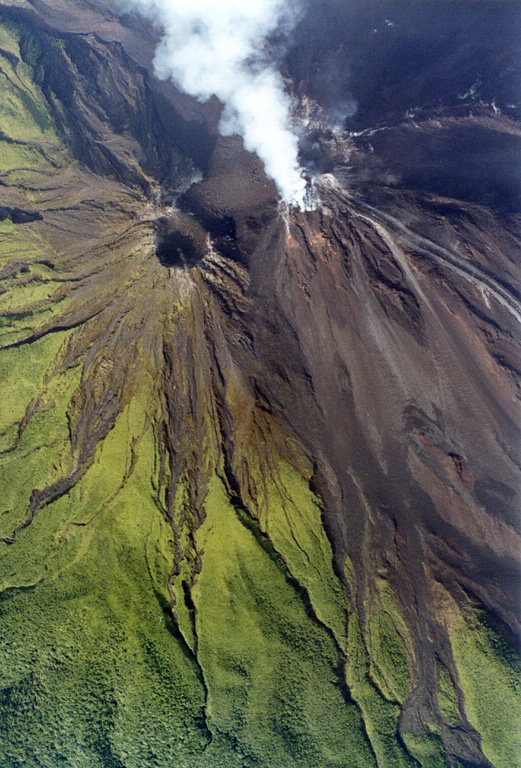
(93,671)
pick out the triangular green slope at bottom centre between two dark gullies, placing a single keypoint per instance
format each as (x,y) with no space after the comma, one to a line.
(274,677)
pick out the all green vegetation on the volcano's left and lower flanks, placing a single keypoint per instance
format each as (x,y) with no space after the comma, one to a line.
(93,670)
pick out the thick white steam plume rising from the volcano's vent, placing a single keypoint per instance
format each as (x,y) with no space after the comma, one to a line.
(217,47)
